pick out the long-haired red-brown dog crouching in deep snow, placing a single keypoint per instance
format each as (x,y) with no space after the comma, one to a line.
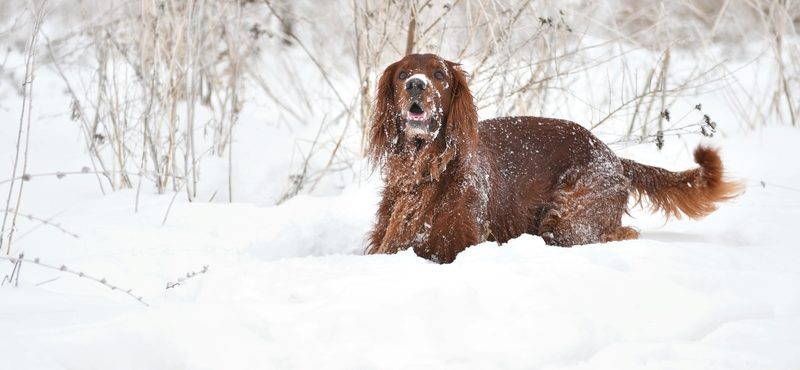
(452,182)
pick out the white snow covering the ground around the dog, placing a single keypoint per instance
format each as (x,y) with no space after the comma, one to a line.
(288,287)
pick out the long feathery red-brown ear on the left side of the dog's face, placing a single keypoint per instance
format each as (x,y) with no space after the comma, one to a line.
(383,131)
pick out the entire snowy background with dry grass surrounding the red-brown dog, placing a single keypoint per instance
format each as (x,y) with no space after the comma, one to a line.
(161,139)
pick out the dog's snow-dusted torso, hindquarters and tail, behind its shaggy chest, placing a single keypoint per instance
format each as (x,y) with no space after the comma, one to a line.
(553,178)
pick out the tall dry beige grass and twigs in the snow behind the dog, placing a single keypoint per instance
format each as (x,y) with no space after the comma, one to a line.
(166,80)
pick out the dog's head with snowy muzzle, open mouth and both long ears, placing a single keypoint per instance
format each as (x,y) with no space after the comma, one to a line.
(423,101)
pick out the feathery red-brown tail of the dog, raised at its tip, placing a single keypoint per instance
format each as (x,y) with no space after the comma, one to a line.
(694,193)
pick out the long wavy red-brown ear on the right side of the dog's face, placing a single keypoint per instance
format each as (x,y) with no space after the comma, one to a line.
(462,120)
